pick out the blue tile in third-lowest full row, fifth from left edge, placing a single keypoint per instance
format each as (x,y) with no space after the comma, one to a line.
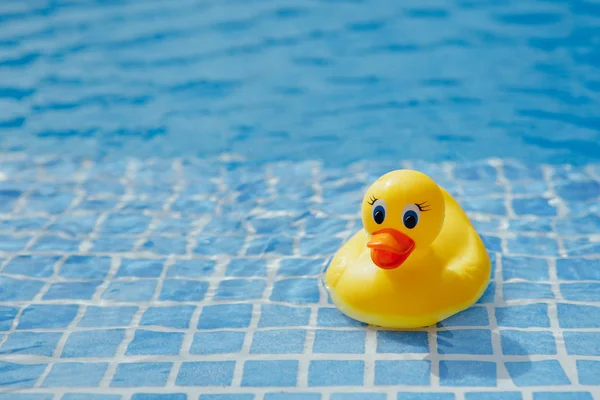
(225,316)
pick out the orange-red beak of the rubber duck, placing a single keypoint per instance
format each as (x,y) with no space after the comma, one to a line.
(390,248)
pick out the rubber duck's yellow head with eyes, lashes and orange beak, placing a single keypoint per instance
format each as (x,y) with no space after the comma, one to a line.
(403,211)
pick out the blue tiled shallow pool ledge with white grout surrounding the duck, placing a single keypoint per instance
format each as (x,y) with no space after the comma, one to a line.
(188,279)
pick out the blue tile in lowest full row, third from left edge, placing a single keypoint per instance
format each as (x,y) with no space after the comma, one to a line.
(141,374)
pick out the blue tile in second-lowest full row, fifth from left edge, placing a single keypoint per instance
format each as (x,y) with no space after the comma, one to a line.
(290,341)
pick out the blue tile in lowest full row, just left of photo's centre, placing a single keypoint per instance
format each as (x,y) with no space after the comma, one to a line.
(280,373)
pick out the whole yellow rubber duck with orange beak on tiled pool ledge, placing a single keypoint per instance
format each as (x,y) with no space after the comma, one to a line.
(417,260)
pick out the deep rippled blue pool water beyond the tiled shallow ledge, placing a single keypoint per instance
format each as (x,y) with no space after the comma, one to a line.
(337,80)
